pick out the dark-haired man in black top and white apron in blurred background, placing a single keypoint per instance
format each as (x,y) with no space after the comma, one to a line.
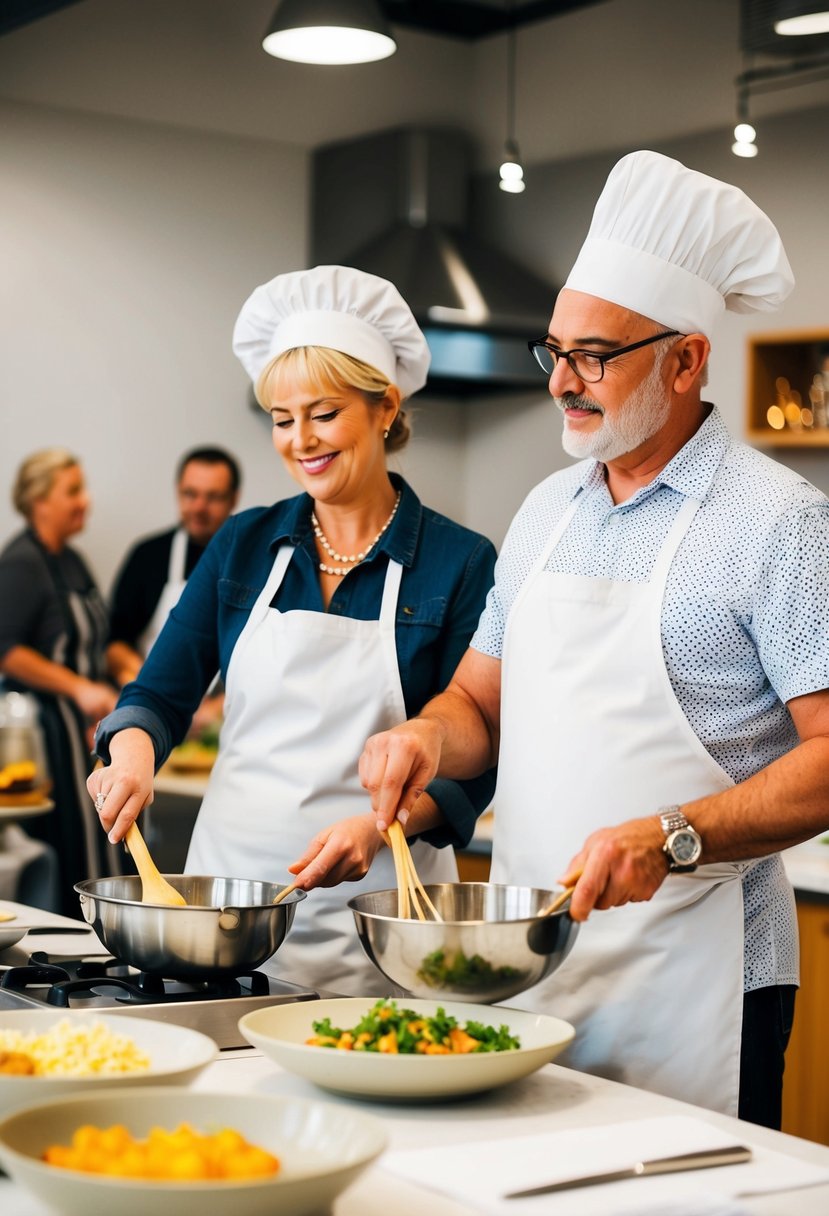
(156,570)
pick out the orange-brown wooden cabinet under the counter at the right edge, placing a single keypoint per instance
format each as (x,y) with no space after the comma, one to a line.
(807,1078)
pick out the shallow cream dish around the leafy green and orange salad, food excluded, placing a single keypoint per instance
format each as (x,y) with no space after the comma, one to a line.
(281,1032)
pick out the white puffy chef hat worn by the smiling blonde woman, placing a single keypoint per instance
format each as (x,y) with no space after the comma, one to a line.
(336,307)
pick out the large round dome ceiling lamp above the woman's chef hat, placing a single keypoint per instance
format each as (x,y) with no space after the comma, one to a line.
(330,32)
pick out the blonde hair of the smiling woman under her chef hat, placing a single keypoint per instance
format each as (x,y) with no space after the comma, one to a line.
(322,365)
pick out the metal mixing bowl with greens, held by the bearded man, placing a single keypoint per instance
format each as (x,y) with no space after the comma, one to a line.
(490,947)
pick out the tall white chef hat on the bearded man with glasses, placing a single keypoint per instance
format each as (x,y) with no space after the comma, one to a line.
(680,247)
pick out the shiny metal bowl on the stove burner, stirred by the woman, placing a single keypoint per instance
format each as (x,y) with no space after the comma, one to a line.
(230,925)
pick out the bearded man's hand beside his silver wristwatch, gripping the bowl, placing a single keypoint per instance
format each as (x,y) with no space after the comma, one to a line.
(618,866)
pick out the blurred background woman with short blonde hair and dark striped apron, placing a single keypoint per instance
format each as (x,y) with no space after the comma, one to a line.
(53,637)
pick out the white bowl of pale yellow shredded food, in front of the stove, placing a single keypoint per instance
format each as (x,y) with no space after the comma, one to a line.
(48,1054)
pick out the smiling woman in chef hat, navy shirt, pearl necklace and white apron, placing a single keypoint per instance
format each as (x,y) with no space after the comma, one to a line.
(331,616)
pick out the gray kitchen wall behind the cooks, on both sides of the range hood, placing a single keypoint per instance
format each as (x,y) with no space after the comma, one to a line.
(128,249)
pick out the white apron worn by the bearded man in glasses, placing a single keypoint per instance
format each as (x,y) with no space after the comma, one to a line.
(593,735)
